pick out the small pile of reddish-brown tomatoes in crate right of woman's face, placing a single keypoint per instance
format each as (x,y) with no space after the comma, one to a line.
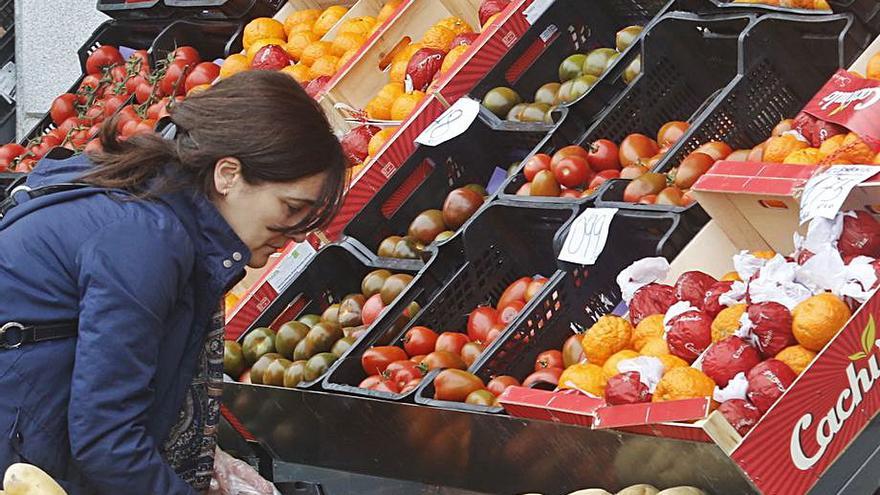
(432,226)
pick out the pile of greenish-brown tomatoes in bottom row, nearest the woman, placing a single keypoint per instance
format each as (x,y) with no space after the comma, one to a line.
(304,349)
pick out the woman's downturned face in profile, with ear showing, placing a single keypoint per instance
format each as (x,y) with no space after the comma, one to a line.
(257,211)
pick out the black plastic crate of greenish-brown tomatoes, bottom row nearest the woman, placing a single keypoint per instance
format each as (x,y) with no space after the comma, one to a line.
(336,271)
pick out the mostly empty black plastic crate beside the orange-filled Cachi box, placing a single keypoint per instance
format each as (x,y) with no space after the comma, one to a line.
(572,302)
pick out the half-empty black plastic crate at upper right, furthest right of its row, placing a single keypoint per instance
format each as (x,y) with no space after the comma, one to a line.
(785,60)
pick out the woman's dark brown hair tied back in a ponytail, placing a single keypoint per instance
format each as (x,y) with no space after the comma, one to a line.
(264,119)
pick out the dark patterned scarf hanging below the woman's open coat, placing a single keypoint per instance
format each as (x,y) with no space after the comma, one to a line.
(190,447)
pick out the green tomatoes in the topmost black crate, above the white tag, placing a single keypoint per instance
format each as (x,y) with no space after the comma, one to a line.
(577,74)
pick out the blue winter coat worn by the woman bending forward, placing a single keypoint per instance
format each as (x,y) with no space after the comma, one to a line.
(143,279)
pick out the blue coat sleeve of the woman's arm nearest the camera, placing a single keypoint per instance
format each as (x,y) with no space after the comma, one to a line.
(129,280)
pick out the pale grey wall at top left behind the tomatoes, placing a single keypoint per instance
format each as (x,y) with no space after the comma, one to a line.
(47,35)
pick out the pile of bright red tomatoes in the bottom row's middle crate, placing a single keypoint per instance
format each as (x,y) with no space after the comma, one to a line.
(396,369)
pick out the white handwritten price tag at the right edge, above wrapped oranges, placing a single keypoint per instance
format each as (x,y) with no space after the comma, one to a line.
(826,192)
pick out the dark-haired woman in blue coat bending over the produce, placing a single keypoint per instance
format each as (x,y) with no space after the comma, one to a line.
(117,391)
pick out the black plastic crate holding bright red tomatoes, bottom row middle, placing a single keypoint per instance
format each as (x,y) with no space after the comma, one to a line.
(501,244)
